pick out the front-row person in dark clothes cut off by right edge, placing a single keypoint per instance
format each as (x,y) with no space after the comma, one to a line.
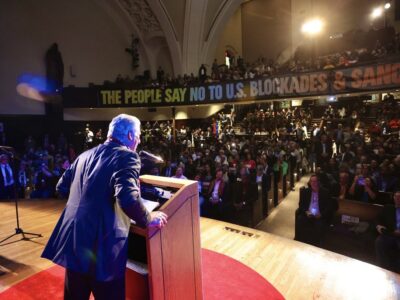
(387,244)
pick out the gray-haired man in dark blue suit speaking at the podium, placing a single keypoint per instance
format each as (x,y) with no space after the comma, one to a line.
(91,237)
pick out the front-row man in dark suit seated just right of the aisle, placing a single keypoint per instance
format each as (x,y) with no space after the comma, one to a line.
(314,213)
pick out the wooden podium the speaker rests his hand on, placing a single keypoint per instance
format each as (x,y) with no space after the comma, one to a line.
(173,252)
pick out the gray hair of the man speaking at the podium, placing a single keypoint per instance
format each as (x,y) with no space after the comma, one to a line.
(121,125)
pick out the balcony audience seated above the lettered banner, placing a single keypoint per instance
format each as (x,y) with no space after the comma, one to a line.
(385,45)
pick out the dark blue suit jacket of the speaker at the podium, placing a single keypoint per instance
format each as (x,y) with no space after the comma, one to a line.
(91,234)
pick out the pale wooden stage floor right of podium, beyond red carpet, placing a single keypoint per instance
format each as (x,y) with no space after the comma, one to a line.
(297,270)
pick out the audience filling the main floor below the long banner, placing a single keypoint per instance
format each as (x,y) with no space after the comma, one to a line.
(352,157)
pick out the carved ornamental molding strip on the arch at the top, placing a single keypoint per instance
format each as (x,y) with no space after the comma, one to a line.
(141,14)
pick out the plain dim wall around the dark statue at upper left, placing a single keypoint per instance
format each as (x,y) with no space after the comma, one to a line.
(90,42)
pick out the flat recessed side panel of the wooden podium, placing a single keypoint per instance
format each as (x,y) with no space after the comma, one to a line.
(177,243)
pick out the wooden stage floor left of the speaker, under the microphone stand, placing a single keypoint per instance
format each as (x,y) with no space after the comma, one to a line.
(21,259)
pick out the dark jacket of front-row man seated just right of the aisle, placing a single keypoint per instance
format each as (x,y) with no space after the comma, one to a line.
(325,202)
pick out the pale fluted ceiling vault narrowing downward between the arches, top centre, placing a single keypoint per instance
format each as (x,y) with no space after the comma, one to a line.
(190,28)
